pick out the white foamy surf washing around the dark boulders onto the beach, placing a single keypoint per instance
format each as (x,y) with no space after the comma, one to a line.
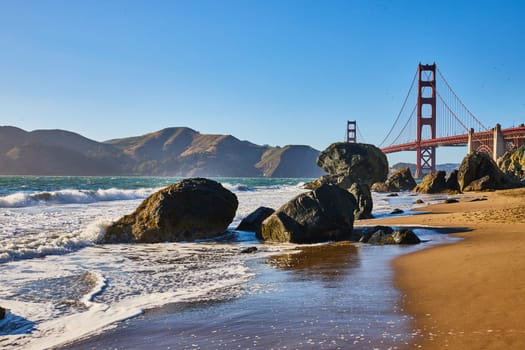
(80,287)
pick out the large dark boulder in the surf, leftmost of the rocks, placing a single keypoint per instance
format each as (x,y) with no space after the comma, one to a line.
(191,209)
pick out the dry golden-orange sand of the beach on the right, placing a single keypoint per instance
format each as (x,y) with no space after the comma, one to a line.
(471,294)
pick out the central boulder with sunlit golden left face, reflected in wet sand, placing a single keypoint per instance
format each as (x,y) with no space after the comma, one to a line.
(324,214)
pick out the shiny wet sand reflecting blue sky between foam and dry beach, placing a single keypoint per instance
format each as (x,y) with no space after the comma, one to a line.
(331,296)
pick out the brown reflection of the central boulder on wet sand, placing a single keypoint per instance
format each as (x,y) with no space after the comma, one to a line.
(326,262)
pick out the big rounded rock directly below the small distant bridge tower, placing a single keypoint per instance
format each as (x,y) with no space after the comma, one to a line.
(356,162)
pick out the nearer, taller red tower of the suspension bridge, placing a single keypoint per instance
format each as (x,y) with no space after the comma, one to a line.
(426,119)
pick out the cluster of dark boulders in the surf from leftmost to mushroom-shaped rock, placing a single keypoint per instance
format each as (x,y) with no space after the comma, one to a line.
(200,208)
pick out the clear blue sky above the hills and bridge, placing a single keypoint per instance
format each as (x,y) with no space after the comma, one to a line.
(271,72)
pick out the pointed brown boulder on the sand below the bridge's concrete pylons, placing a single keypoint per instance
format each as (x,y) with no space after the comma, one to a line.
(481,170)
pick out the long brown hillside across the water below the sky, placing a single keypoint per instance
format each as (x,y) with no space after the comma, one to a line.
(177,151)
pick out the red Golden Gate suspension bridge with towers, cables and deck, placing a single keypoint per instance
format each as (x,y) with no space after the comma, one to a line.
(439,118)
